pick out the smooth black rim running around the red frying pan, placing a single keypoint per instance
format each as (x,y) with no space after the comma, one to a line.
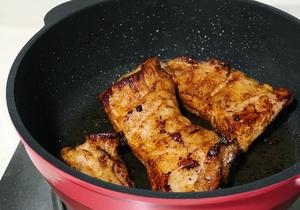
(26,136)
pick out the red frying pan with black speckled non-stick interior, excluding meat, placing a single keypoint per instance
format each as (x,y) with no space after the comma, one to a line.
(85,45)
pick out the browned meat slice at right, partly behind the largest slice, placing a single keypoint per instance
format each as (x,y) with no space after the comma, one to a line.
(236,105)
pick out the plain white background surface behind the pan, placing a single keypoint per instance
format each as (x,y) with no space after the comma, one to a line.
(19,21)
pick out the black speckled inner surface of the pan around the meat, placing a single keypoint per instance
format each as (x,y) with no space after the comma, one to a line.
(58,81)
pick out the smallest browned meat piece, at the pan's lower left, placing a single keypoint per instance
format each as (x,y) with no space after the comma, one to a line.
(98,157)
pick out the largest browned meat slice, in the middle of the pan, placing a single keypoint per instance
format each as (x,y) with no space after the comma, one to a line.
(178,156)
